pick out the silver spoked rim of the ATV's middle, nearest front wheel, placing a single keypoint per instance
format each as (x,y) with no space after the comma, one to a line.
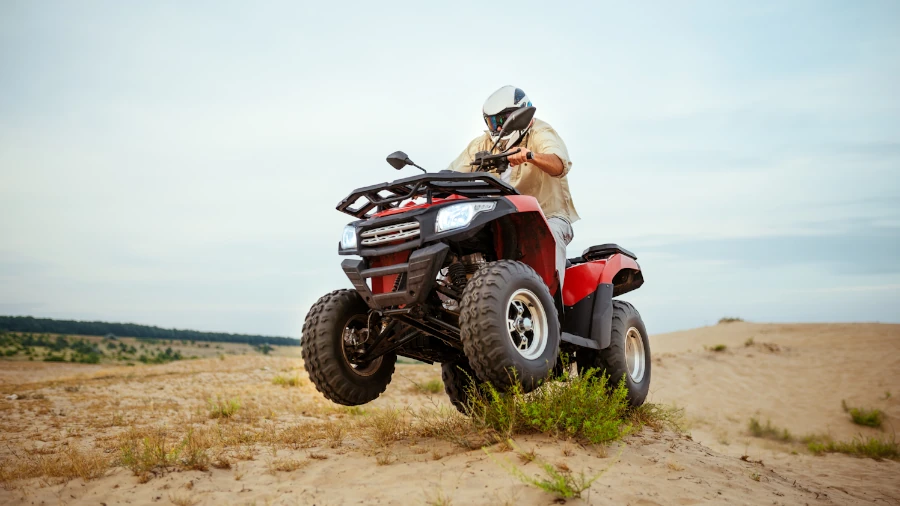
(526,322)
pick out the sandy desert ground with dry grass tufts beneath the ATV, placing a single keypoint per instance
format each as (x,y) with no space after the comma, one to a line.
(251,429)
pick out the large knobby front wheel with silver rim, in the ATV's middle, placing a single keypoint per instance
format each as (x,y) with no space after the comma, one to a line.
(509,325)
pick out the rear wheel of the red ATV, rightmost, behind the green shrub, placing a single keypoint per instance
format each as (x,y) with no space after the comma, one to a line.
(628,354)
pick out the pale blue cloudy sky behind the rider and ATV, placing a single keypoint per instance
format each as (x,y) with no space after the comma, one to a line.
(178,163)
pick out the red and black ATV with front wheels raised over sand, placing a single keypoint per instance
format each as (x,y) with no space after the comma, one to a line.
(467,278)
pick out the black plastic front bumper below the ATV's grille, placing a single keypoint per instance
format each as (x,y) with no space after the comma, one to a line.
(421,271)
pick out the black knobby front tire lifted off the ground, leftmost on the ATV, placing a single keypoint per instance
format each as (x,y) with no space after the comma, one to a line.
(323,352)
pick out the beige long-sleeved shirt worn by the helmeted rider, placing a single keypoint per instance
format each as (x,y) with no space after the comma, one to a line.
(551,192)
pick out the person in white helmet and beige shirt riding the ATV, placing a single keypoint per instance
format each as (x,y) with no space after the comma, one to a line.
(539,169)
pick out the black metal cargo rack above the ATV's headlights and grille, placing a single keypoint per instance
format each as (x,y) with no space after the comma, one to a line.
(384,196)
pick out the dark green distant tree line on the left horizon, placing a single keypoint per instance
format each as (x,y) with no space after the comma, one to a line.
(47,325)
